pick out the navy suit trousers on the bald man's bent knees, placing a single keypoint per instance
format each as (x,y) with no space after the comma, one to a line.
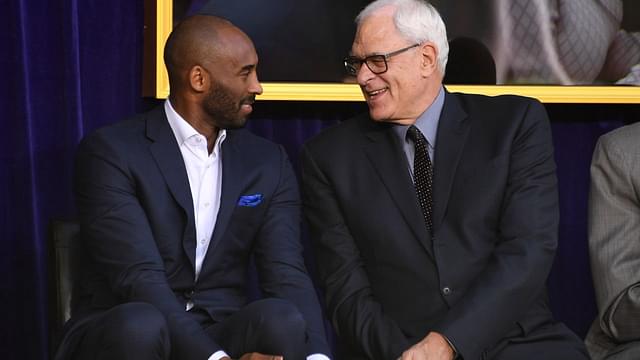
(139,331)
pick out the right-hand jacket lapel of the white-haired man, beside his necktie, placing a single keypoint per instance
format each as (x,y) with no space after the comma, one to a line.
(453,129)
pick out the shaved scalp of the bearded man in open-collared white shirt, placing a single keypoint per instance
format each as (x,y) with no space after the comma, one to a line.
(196,40)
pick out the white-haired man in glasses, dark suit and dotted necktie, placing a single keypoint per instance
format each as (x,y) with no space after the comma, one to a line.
(435,215)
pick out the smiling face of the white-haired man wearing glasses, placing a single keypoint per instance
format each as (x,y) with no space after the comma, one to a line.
(411,82)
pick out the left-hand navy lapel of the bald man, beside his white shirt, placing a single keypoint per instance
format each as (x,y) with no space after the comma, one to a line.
(166,153)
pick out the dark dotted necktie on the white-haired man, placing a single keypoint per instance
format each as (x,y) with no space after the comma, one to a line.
(422,175)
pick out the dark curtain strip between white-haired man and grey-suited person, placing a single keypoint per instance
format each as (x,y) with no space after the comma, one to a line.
(575,129)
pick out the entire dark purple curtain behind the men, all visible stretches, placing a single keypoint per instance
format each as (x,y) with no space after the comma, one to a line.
(70,66)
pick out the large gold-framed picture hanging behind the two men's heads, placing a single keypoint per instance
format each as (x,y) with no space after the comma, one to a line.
(523,47)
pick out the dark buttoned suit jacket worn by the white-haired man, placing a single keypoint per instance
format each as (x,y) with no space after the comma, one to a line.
(481,277)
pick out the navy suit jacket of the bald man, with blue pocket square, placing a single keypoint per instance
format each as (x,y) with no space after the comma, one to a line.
(138,231)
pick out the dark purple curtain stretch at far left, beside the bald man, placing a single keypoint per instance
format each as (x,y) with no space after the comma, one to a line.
(66,67)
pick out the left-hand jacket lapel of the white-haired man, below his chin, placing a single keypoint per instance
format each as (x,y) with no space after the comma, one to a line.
(386,156)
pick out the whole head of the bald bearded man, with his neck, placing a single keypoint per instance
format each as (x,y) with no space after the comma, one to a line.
(212,74)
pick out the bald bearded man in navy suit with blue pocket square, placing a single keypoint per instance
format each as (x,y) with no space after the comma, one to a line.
(173,204)
